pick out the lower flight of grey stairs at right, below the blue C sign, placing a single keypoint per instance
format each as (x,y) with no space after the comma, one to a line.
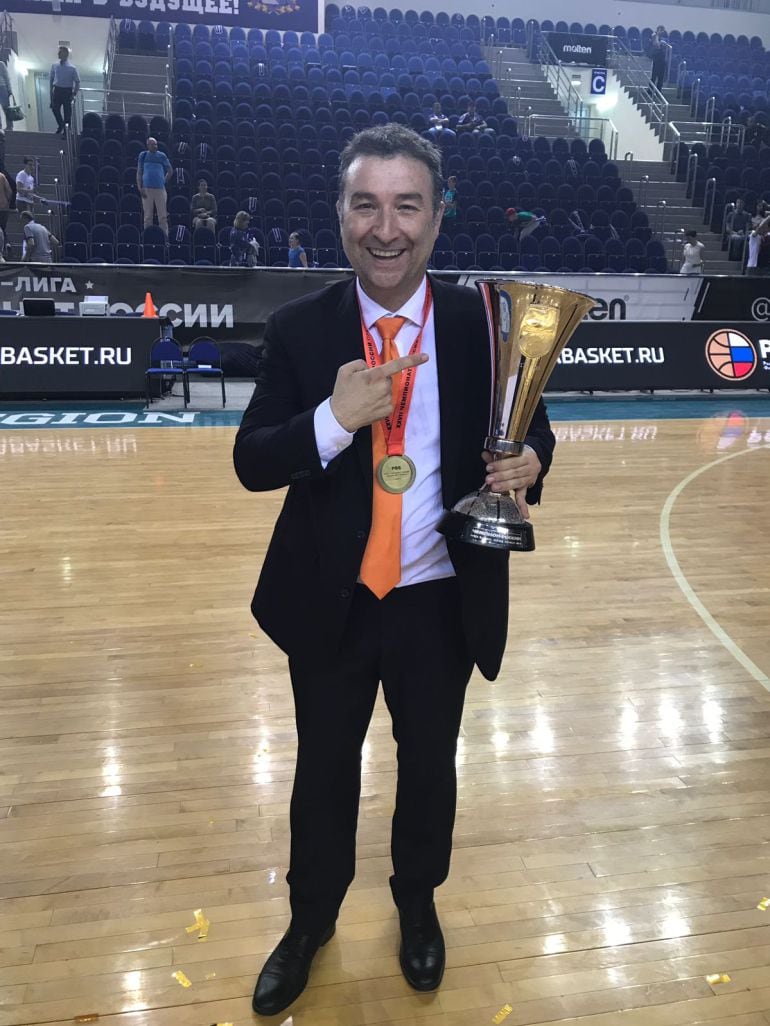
(679,213)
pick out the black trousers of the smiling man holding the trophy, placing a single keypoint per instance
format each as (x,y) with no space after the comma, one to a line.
(413,643)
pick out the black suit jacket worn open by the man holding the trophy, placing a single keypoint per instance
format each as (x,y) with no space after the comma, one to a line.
(313,564)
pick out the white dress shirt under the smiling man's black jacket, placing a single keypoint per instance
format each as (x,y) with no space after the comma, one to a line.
(425,556)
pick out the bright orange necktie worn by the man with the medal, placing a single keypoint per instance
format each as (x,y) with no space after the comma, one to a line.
(381,568)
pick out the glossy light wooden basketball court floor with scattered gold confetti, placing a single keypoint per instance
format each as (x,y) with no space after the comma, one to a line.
(613,833)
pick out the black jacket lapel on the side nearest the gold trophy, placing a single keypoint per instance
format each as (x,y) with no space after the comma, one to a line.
(452,354)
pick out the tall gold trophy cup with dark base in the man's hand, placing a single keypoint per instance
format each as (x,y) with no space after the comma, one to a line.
(529,327)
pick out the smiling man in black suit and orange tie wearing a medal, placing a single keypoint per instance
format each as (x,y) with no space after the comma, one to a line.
(352,605)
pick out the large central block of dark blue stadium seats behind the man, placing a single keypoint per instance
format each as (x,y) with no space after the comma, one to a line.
(263,119)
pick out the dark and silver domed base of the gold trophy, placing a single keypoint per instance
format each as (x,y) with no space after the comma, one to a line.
(488,520)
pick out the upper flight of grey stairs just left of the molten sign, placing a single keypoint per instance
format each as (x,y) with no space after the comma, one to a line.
(525,89)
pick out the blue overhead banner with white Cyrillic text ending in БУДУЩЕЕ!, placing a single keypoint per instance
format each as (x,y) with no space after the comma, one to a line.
(300,16)
